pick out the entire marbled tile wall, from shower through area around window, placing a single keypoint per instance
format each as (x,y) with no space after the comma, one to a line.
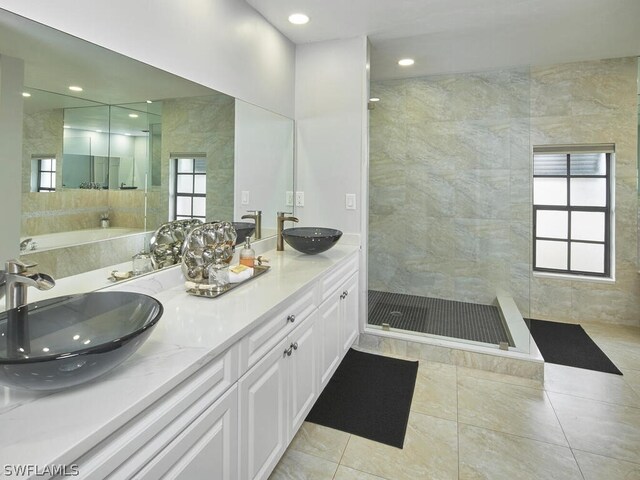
(450,212)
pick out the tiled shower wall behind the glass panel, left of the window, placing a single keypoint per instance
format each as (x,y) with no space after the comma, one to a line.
(449,186)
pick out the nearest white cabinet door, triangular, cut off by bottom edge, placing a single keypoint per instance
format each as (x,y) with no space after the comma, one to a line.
(206,449)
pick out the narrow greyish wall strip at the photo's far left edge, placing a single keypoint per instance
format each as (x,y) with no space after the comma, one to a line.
(11,79)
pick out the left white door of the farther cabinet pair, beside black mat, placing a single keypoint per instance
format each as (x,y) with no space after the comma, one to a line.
(328,323)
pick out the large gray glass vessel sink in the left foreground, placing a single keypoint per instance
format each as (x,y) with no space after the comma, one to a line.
(65,341)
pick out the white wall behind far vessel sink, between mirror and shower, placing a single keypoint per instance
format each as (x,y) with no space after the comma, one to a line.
(331,116)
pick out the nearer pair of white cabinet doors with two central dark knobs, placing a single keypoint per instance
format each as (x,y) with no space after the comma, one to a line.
(275,397)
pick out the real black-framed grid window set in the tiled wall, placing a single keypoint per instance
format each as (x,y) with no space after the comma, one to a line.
(572,210)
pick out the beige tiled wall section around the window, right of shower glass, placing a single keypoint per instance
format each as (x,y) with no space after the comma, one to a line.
(593,102)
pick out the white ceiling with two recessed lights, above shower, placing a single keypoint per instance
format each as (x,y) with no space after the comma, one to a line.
(445,36)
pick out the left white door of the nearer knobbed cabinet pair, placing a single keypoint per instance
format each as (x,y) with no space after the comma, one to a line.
(263,408)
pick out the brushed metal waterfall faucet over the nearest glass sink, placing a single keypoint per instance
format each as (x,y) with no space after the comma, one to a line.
(15,279)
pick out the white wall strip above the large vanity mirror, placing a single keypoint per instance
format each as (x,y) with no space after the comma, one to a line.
(223,44)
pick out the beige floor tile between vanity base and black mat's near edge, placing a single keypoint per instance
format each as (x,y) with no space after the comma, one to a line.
(320,441)
